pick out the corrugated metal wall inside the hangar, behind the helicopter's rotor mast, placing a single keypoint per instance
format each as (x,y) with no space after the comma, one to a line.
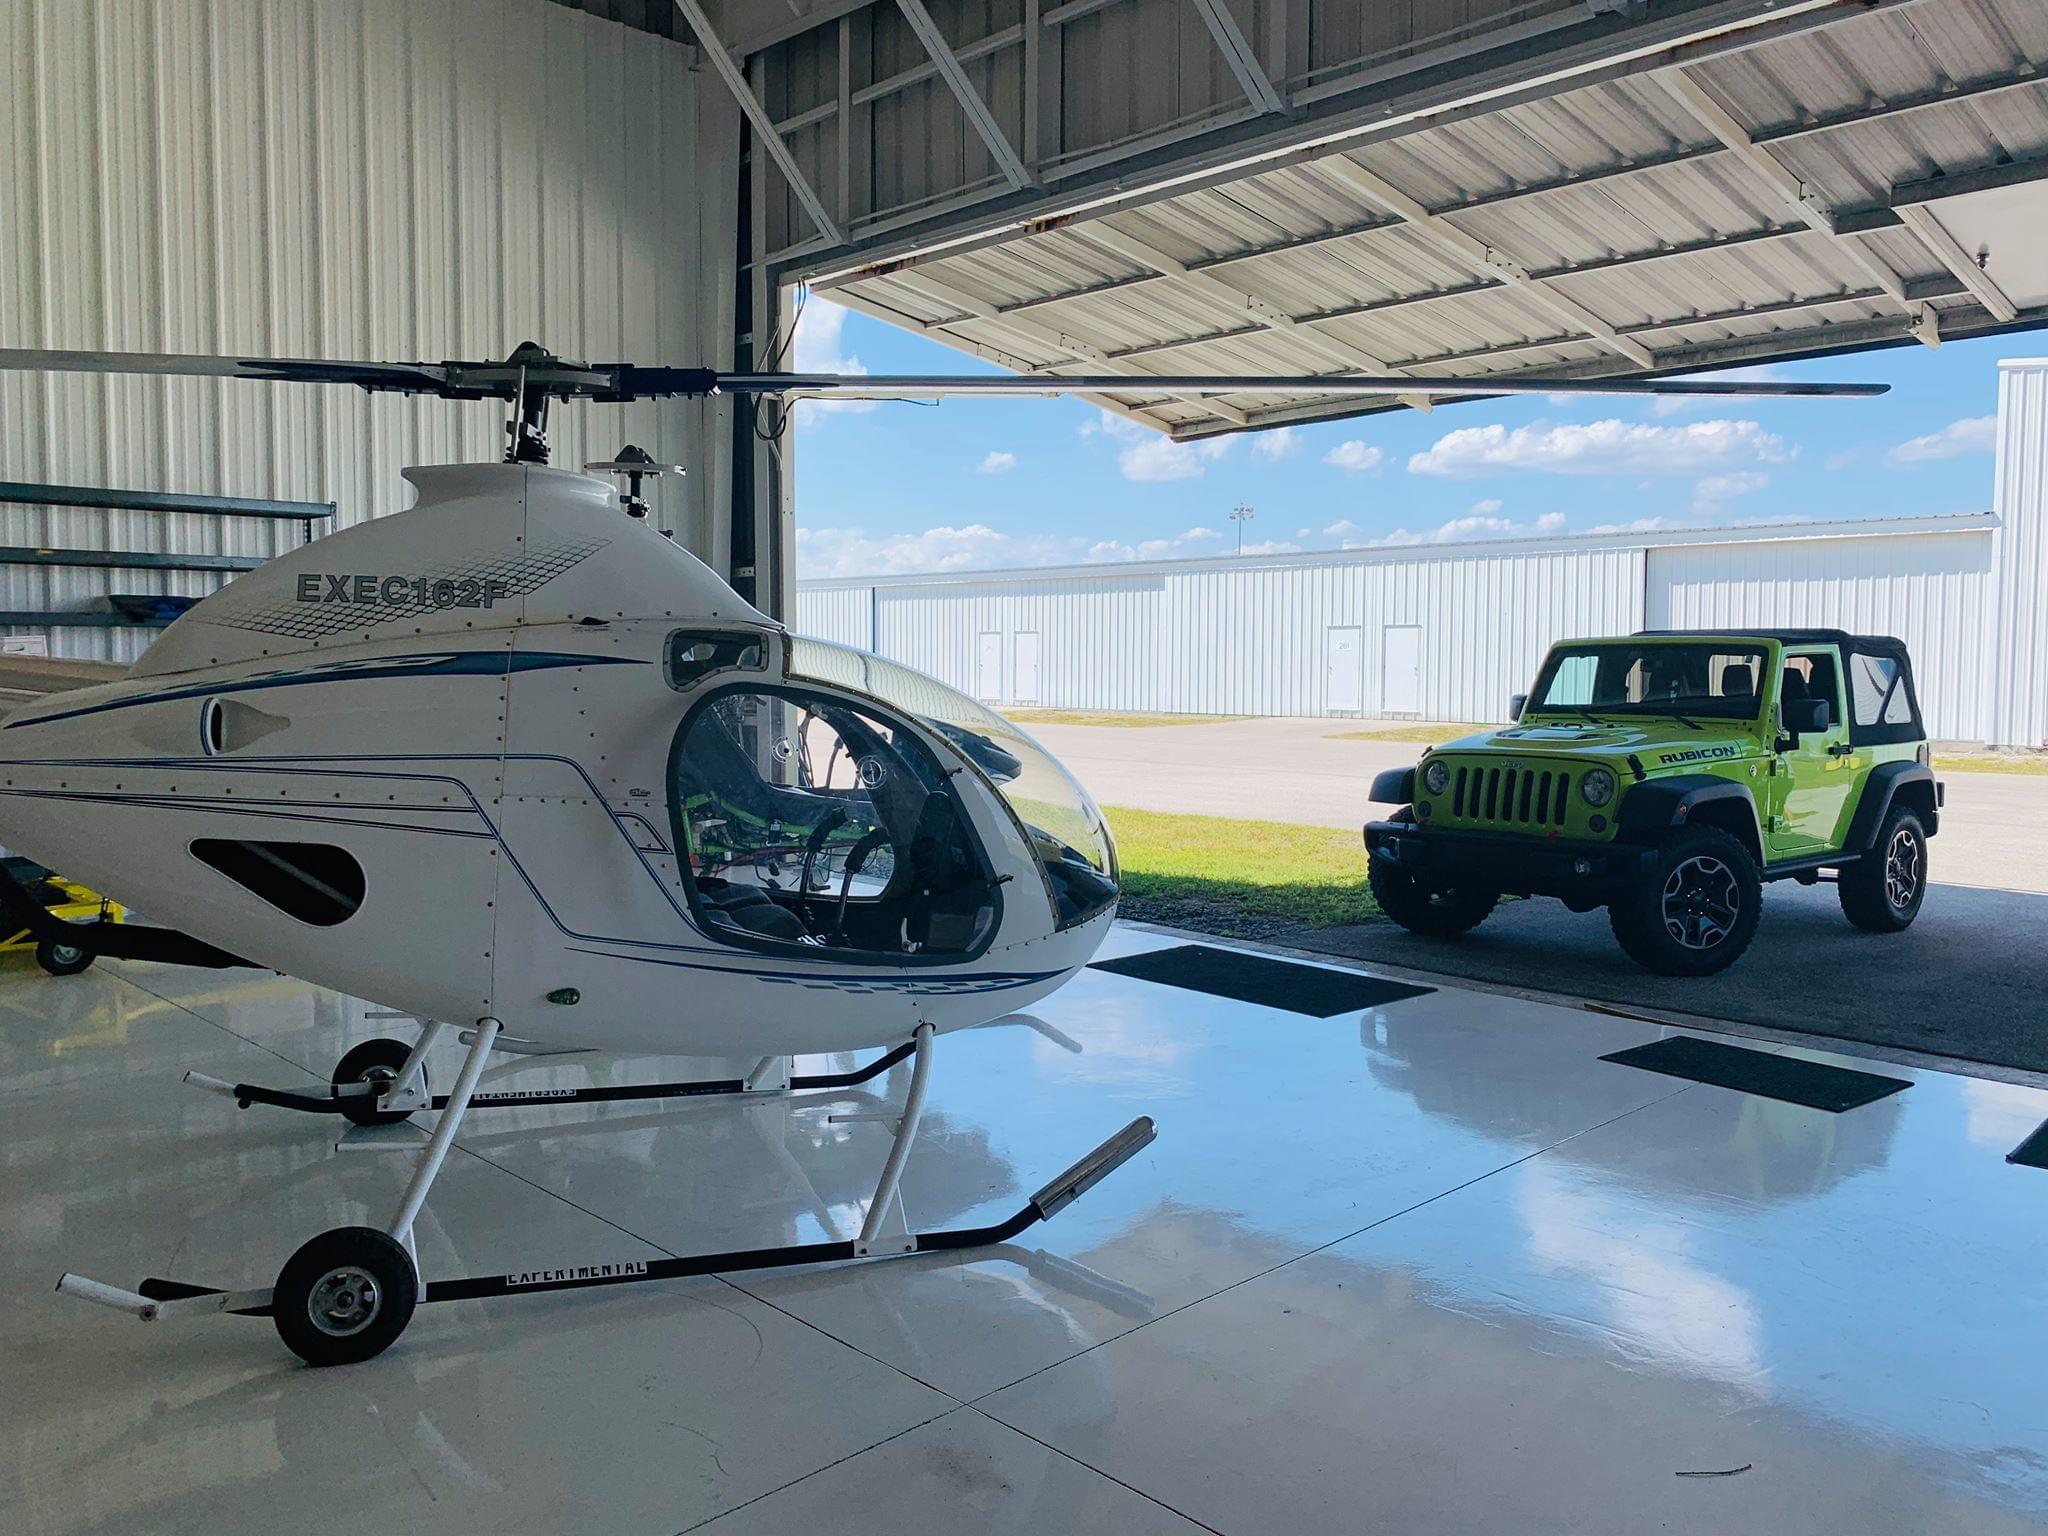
(380,179)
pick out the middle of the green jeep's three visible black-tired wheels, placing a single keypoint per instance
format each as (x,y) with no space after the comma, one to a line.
(1695,910)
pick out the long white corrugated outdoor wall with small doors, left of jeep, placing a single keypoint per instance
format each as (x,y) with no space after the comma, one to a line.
(1250,640)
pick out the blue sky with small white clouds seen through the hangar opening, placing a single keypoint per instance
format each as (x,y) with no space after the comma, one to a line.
(892,488)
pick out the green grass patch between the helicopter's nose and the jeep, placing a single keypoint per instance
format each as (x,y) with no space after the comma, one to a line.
(1240,878)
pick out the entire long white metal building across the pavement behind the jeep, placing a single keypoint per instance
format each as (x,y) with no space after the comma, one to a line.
(1449,632)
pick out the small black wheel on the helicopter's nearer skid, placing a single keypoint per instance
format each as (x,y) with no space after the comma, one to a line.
(345,1297)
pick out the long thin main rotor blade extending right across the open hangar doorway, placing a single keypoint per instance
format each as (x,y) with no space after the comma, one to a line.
(937,386)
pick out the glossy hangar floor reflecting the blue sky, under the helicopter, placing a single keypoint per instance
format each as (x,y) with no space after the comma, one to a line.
(1426,1269)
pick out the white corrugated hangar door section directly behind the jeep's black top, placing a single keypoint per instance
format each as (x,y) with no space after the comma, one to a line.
(1930,591)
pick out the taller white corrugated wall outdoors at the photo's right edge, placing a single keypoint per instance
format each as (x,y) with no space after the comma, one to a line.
(2016,636)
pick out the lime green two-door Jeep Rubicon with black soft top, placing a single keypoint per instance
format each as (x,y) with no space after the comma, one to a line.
(1666,777)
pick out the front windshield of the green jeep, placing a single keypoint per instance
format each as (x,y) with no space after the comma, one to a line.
(1631,679)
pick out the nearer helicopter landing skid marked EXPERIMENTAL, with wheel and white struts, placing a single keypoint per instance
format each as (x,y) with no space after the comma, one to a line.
(349,1293)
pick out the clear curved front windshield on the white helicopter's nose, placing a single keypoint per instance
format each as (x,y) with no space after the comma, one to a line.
(1062,822)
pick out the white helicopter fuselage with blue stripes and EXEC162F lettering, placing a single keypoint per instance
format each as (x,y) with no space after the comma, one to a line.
(439,763)
